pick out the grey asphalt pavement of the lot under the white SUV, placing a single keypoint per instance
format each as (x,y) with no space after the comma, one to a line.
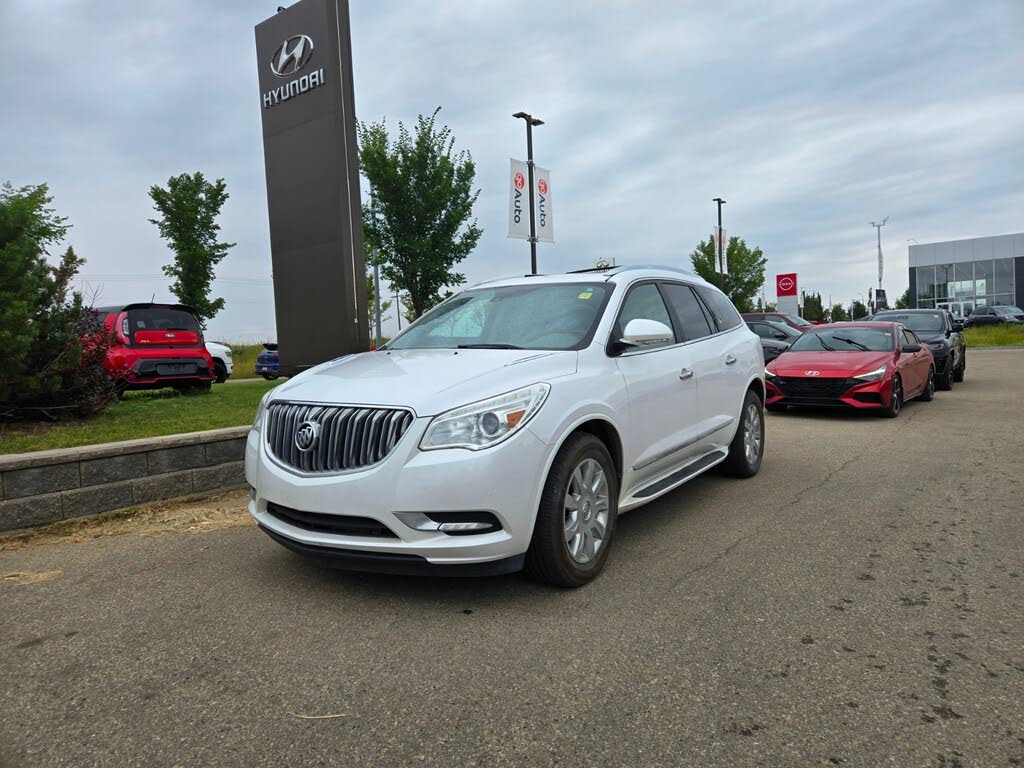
(858,604)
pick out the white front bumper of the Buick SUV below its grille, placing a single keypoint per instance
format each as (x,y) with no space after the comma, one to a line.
(504,481)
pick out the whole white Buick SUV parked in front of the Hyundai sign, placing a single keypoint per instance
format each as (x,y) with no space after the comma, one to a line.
(510,425)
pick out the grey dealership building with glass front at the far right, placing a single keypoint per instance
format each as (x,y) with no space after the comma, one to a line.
(961,275)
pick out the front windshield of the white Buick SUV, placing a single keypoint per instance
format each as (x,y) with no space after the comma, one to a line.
(542,317)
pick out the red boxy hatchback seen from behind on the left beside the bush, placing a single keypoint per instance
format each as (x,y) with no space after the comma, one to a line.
(155,347)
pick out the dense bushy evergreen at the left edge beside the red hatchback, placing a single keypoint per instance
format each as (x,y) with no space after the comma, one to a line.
(53,345)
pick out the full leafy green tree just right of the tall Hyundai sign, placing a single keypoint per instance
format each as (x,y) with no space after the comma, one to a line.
(422,214)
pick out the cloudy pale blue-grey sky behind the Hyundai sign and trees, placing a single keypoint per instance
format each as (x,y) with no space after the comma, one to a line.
(810,119)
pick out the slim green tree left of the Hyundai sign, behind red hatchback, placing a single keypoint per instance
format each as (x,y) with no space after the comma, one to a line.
(189,210)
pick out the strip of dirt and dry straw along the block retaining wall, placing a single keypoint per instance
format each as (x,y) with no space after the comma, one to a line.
(211,514)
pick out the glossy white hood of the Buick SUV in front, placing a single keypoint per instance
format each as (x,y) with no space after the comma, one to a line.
(430,381)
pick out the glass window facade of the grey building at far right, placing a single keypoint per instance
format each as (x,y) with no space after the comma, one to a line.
(972,284)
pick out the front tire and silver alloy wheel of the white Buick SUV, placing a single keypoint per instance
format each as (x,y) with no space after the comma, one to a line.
(549,559)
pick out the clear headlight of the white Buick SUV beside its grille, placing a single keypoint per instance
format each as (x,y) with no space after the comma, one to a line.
(487,423)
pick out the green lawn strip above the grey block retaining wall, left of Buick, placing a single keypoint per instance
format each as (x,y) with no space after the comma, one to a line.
(146,414)
